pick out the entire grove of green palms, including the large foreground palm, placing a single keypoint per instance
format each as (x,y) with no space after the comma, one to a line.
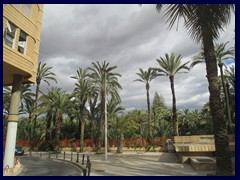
(57,115)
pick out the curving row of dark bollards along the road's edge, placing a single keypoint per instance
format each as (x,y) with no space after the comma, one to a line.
(67,156)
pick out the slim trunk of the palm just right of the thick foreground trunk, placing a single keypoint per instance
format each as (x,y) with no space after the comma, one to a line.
(226,99)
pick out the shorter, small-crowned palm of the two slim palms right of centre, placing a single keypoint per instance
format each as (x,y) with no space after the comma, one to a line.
(146,77)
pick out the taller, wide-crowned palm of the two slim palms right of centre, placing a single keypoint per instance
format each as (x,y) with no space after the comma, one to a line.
(170,66)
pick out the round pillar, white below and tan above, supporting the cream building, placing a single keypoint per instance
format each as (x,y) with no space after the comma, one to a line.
(13,122)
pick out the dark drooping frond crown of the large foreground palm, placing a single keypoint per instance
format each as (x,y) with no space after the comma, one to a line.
(210,16)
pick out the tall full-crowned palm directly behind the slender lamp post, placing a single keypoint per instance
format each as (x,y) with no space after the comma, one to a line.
(104,79)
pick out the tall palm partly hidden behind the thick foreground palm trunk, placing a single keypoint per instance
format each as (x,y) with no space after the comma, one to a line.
(222,54)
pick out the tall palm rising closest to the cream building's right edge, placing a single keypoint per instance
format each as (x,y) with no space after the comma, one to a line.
(45,74)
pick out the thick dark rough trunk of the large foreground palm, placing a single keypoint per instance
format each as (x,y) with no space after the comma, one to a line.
(223,154)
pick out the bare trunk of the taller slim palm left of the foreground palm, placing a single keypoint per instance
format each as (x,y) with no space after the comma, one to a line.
(174,109)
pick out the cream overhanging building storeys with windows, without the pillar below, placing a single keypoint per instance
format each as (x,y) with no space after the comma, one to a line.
(21,41)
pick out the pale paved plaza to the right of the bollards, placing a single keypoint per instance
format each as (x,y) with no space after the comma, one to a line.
(145,164)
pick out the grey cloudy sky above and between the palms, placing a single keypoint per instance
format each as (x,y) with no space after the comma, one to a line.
(127,36)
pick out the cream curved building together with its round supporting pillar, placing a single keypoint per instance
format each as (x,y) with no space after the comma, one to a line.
(21,41)
